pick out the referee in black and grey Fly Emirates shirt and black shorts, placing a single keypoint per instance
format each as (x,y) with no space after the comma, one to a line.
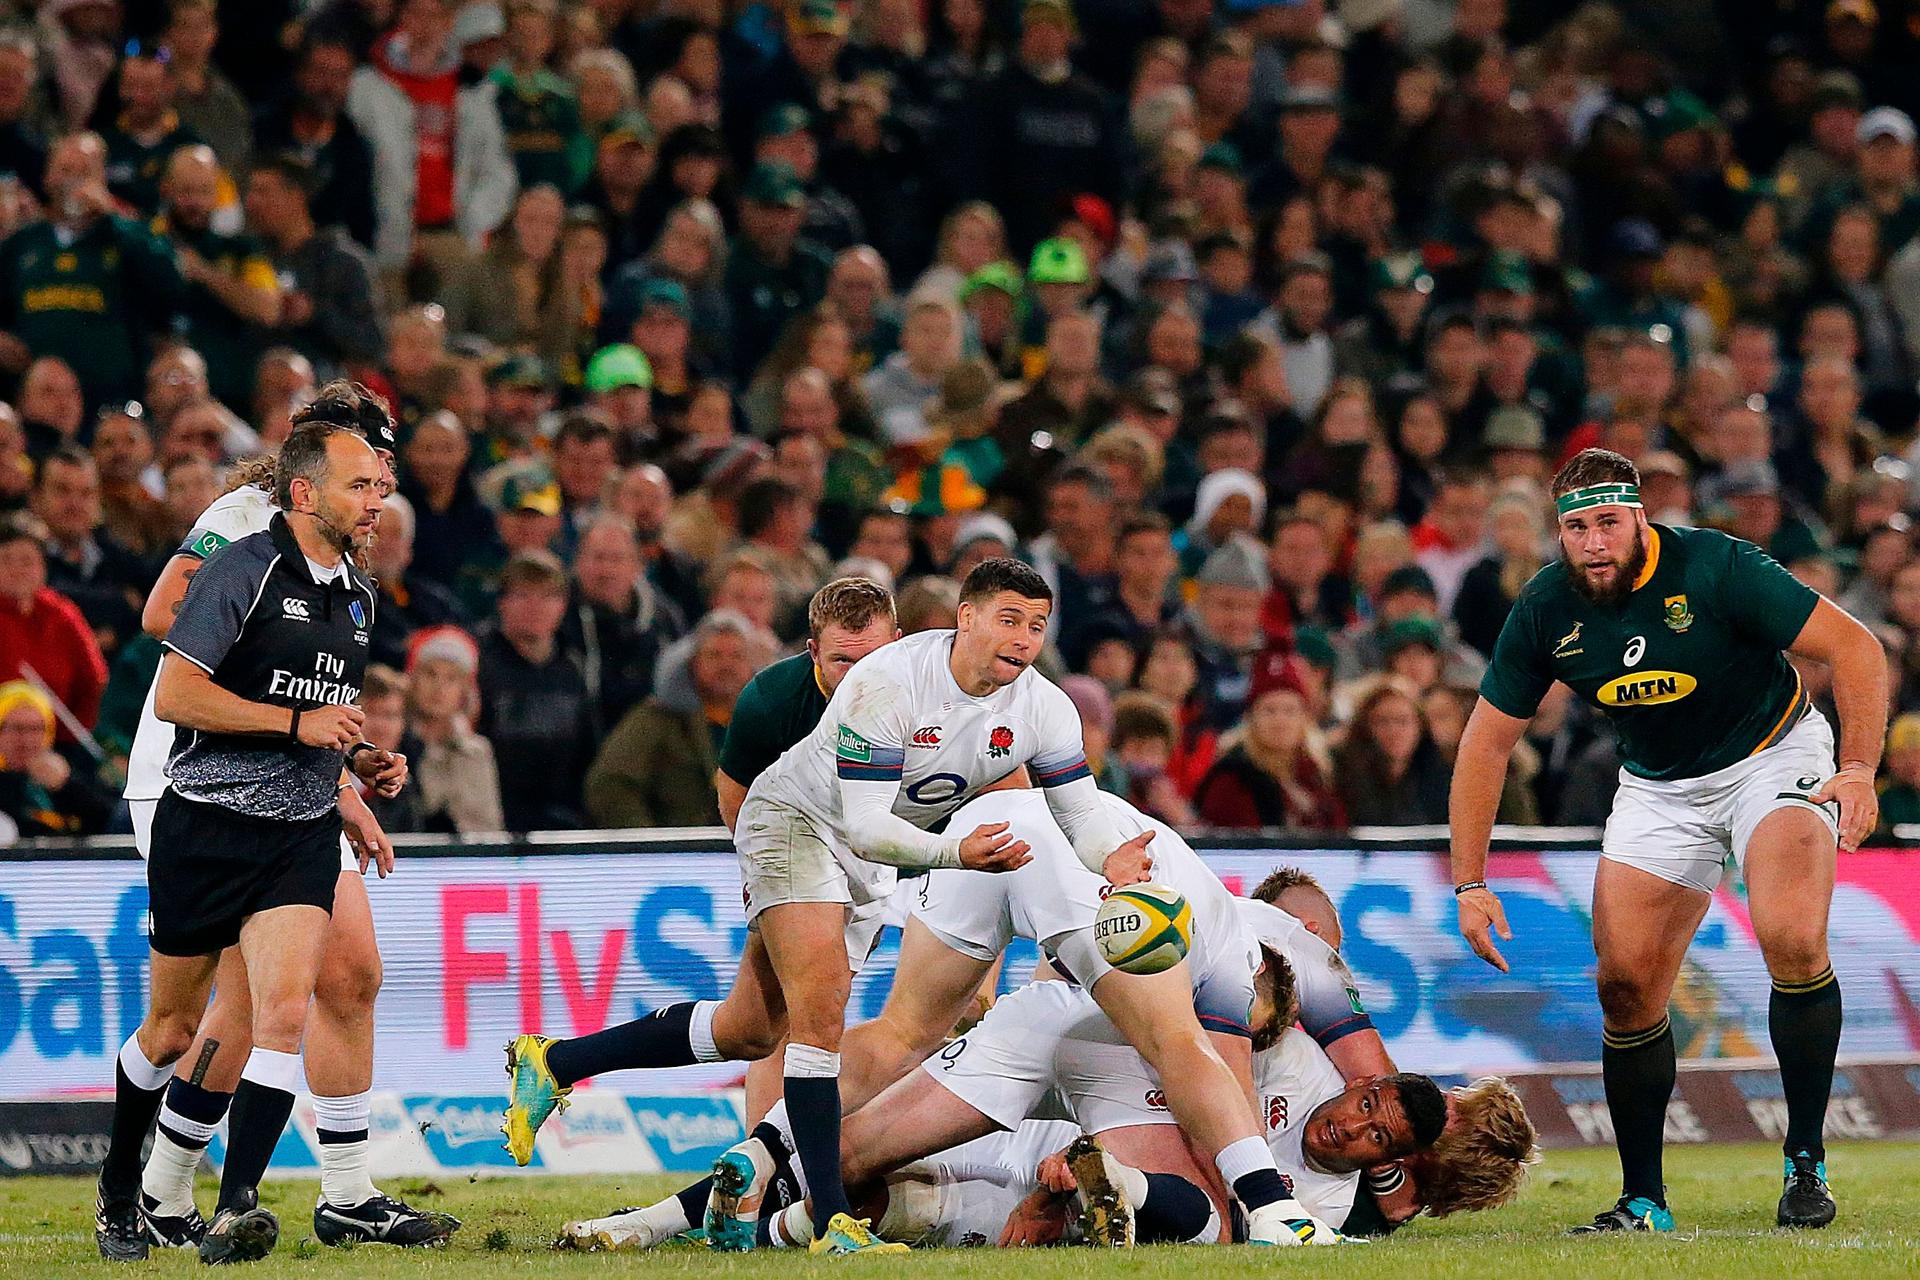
(262,675)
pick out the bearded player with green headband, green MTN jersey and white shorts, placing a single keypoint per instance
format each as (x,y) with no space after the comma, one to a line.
(1681,640)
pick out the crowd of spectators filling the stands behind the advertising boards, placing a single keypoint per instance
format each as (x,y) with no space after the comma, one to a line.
(1255,325)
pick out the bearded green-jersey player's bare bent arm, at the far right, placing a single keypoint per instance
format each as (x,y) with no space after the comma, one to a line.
(1836,638)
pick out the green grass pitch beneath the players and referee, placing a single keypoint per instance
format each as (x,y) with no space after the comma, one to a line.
(1723,1198)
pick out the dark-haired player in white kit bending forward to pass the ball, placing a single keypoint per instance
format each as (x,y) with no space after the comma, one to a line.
(909,736)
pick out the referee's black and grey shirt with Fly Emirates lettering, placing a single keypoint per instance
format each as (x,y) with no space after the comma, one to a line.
(272,627)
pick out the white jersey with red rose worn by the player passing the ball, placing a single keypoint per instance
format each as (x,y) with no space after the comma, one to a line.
(900,717)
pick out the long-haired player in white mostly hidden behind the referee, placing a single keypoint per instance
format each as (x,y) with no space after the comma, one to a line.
(341,1030)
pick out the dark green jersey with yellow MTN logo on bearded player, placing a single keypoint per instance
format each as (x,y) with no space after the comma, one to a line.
(1691,671)
